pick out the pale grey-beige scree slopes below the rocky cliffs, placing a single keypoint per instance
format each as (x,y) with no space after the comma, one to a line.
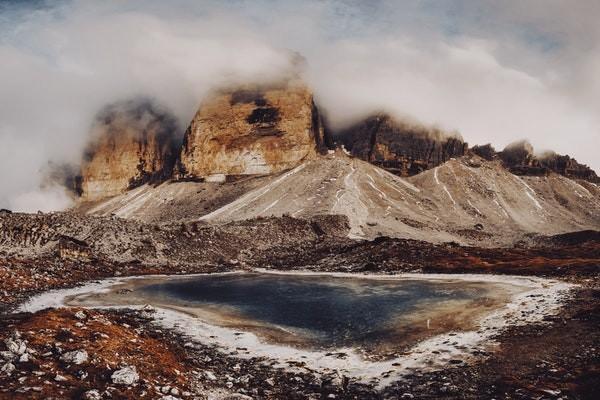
(467,200)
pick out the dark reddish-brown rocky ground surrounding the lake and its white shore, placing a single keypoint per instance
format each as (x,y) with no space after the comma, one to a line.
(84,354)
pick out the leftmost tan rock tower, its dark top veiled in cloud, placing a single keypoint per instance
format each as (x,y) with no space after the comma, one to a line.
(132,143)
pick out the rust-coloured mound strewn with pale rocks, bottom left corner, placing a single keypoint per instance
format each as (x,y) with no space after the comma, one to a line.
(123,362)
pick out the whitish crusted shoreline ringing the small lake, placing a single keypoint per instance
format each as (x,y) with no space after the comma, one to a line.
(543,298)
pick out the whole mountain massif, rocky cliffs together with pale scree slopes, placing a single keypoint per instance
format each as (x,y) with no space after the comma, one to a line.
(257,151)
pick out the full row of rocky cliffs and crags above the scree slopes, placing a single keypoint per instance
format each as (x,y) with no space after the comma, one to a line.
(265,129)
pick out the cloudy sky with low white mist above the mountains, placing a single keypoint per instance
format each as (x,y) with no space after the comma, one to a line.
(494,71)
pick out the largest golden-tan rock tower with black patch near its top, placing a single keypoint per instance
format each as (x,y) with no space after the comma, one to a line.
(252,130)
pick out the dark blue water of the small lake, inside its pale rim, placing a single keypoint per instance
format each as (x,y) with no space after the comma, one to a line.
(332,311)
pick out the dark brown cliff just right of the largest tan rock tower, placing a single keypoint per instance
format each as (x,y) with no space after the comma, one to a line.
(400,148)
